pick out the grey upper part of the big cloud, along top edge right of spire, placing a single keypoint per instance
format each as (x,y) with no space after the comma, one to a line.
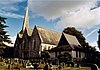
(52,9)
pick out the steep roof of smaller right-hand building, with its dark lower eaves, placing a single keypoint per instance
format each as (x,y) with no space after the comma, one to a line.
(73,44)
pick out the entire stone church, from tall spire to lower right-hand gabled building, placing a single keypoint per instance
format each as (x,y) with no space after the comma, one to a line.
(31,42)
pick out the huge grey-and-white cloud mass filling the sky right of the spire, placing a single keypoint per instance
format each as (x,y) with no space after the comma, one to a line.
(75,13)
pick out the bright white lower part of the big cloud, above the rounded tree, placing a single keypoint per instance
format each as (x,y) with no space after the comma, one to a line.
(84,18)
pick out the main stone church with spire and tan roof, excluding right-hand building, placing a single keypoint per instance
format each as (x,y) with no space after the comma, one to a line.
(31,42)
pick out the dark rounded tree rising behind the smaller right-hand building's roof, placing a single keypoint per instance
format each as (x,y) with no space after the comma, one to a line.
(78,34)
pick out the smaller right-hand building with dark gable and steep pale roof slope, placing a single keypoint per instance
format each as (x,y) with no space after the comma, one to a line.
(68,44)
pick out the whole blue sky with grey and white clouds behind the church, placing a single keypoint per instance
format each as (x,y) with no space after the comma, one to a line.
(56,15)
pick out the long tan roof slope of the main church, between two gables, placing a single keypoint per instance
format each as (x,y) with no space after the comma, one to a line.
(48,36)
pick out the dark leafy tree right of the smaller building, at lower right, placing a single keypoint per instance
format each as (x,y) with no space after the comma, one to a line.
(92,56)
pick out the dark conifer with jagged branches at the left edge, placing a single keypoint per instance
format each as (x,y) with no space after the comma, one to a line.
(3,34)
